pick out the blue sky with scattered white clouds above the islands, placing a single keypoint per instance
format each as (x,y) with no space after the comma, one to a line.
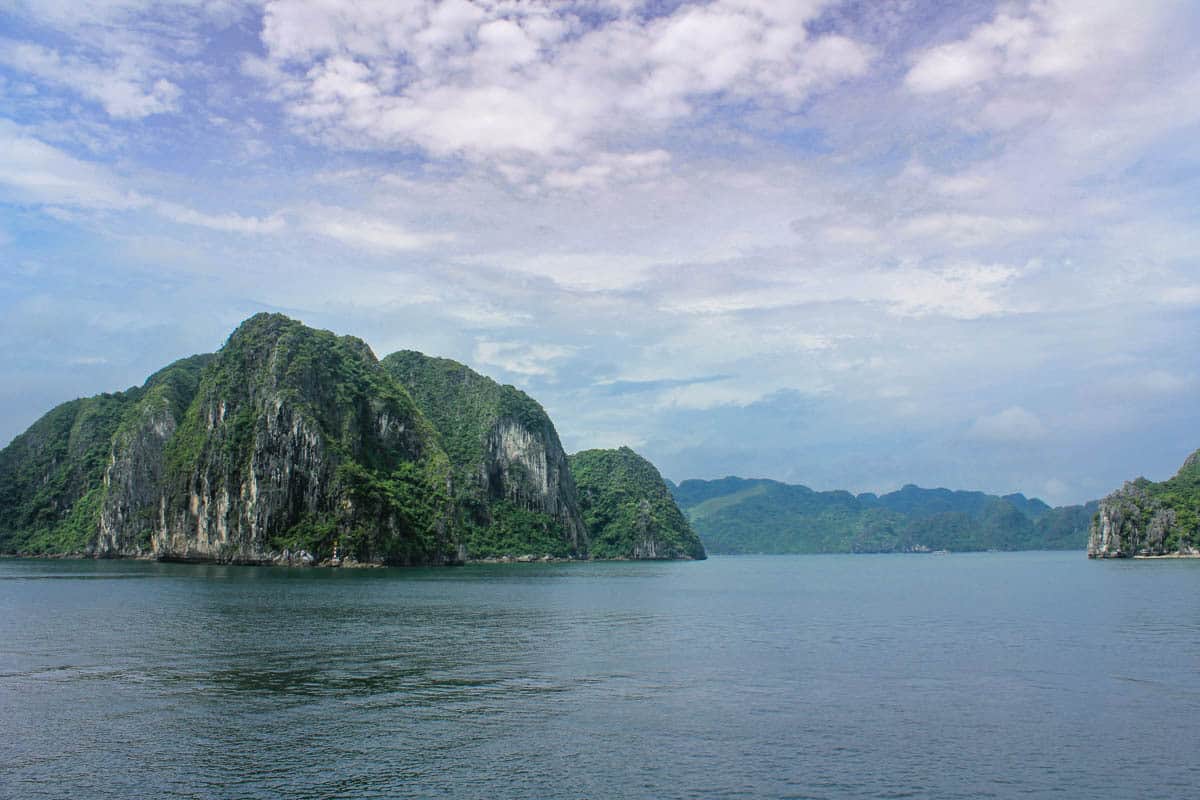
(849,245)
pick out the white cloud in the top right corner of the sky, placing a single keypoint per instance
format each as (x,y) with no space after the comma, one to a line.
(1081,87)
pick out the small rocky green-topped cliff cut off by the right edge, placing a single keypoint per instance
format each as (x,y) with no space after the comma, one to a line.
(1144,519)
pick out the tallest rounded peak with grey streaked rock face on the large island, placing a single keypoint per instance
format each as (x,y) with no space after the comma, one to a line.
(297,441)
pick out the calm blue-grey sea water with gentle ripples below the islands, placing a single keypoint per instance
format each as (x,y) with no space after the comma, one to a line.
(985,676)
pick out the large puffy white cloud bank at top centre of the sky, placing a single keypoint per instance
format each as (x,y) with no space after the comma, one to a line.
(505,82)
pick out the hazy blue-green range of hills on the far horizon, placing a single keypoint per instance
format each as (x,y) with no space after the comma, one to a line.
(736,515)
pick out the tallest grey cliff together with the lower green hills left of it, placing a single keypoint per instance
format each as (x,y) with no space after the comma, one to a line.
(286,444)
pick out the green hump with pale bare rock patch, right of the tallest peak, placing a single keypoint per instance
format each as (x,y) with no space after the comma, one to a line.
(512,482)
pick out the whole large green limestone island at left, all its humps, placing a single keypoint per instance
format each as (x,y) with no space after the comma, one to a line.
(293,446)
